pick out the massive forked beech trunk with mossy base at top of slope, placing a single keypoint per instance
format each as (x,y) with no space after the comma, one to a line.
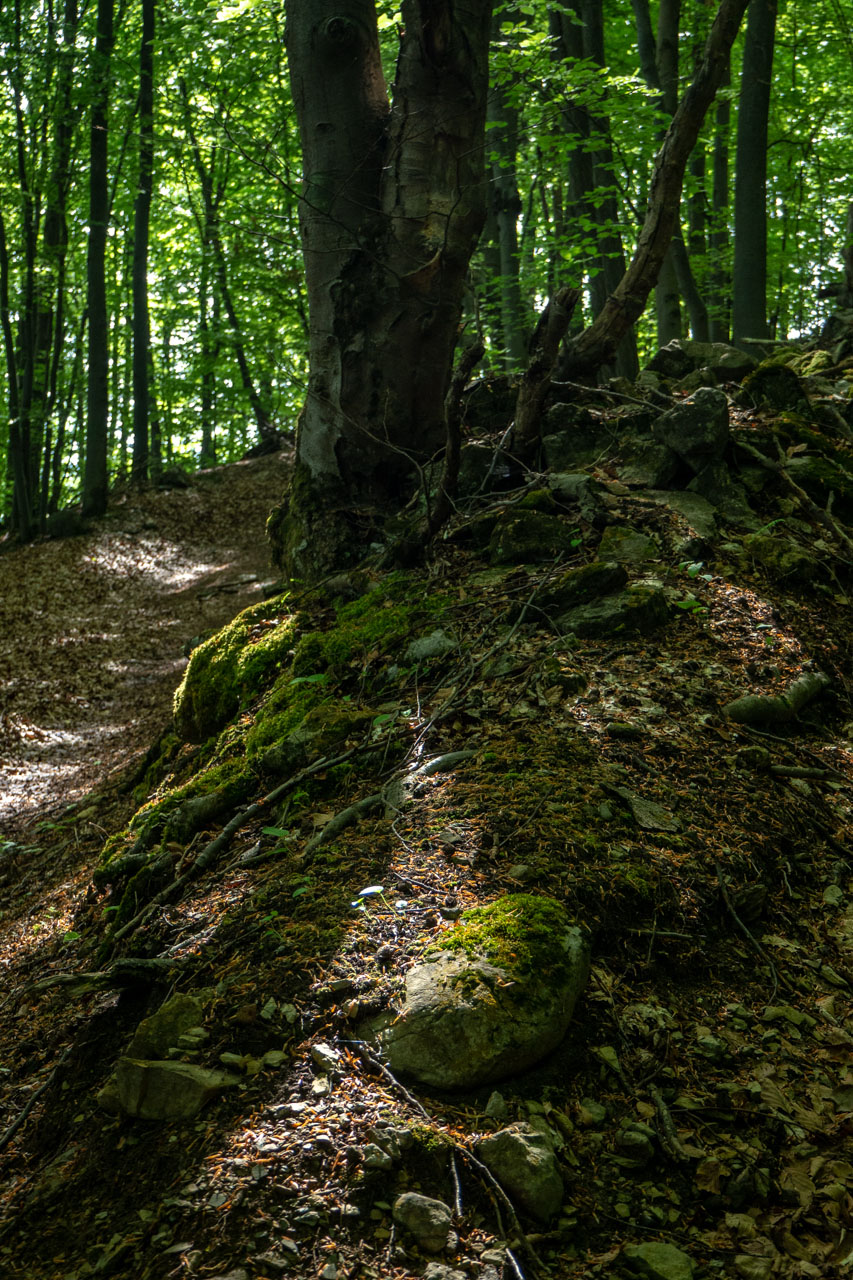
(393,205)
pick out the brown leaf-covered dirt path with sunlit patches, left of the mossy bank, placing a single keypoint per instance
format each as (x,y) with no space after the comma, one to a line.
(93,629)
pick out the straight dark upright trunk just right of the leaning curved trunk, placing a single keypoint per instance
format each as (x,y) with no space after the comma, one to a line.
(750,284)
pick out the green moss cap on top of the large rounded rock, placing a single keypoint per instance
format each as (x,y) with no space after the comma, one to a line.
(517,932)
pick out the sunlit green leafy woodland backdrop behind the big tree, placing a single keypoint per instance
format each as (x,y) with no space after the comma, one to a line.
(153,298)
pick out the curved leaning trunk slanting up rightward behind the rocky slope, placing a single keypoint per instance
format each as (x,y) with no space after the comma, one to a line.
(596,344)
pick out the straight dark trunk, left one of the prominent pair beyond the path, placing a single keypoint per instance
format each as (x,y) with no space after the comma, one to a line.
(95,476)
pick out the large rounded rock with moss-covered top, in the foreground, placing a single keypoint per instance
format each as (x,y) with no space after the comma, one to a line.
(492,998)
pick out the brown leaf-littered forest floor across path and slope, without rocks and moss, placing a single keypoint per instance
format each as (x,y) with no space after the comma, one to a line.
(704,1098)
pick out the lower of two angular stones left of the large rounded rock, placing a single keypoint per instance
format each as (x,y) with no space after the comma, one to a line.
(167,1091)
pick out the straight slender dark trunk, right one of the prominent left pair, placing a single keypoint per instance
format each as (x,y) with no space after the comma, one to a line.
(142,230)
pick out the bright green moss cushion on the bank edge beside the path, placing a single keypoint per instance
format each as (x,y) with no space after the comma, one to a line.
(231,666)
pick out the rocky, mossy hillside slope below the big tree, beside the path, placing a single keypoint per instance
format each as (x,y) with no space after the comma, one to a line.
(573,664)
